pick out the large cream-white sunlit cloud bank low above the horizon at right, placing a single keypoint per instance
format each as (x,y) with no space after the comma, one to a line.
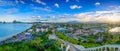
(99,16)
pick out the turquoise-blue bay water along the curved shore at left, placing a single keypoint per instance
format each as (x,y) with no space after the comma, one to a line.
(8,30)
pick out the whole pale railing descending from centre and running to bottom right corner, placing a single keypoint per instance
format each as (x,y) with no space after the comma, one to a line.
(99,48)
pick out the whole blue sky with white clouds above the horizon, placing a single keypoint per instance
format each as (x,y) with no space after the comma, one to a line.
(60,10)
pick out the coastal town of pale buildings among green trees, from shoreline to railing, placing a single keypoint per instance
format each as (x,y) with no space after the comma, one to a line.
(66,36)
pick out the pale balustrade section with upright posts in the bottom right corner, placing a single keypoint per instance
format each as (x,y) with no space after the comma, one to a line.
(104,48)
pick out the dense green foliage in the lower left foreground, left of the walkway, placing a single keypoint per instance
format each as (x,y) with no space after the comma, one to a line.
(39,43)
